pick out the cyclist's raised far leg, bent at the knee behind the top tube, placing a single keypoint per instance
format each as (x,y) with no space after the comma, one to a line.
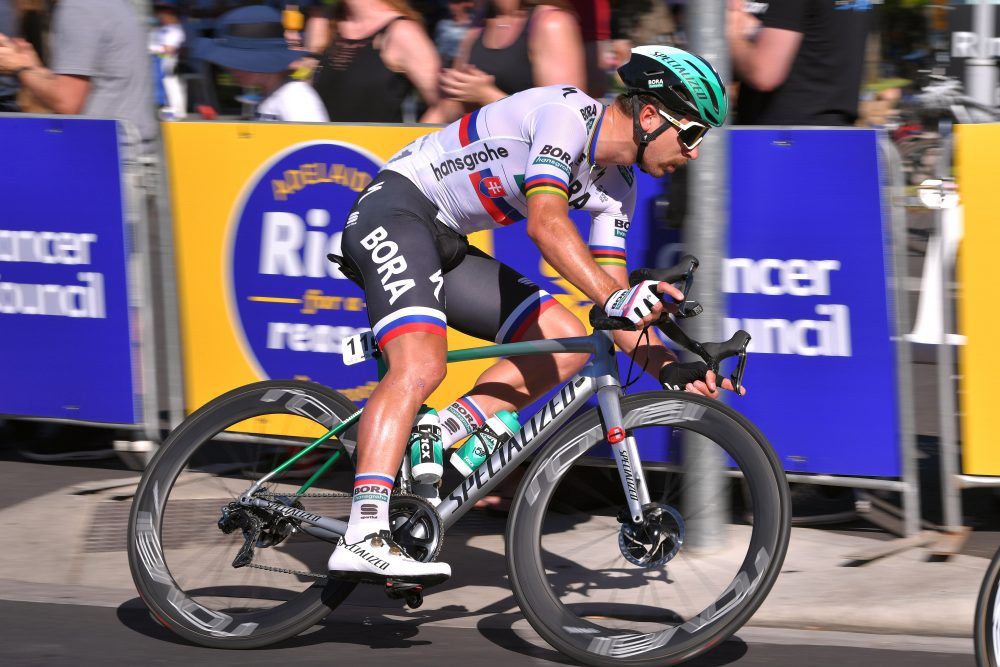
(490,300)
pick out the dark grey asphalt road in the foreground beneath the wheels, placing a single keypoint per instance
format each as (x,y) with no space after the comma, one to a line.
(66,634)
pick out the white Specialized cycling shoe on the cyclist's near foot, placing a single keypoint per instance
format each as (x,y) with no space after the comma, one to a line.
(377,559)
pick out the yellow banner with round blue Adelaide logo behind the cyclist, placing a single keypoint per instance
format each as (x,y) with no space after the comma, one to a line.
(256,209)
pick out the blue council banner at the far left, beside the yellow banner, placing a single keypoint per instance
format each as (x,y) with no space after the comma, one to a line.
(64,319)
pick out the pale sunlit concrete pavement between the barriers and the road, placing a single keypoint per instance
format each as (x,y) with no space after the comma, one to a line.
(64,542)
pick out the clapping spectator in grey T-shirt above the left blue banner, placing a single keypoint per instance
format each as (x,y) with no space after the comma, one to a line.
(99,67)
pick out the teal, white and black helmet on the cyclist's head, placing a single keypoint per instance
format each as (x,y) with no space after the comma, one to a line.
(685,83)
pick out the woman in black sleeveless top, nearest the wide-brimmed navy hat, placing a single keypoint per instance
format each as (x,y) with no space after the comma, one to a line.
(379,51)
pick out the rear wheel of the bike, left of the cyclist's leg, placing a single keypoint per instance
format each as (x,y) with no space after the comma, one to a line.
(187,534)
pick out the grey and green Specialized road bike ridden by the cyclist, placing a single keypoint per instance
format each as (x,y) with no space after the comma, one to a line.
(230,530)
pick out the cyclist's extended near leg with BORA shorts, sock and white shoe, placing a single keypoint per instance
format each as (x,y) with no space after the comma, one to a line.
(387,242)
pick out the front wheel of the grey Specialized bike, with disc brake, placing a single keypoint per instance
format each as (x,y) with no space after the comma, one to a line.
(606,591)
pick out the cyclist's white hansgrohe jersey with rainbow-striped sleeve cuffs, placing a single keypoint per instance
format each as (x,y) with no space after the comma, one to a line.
(480,170)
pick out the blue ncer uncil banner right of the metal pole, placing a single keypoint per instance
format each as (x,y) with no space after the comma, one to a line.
(806,277)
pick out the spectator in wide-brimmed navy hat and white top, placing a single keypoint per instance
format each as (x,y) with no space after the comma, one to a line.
(251,44)
